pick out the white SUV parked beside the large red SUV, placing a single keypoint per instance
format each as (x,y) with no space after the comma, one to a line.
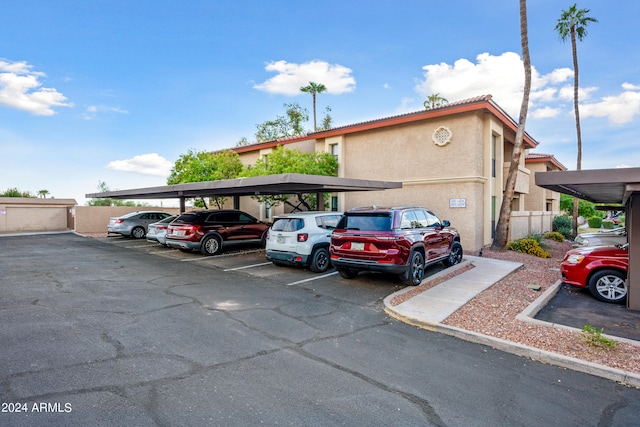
(302,238)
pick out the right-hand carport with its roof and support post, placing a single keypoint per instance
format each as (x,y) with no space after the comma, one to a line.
(612,186)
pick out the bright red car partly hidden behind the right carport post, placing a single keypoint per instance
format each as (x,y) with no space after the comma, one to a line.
(601,269)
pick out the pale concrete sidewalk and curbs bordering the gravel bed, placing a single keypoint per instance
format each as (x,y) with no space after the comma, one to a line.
(429,308)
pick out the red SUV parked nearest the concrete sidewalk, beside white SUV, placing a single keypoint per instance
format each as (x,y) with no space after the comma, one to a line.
(398,240)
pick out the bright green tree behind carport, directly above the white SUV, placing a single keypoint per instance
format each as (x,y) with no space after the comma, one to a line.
(285,160)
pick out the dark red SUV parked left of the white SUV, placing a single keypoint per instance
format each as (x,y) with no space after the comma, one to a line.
(208,230)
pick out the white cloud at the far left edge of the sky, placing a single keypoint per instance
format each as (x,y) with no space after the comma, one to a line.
(20,88)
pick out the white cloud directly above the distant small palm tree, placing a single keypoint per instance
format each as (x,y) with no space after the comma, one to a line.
(291,77)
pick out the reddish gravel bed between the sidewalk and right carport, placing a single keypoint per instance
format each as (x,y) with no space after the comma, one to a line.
(493,312)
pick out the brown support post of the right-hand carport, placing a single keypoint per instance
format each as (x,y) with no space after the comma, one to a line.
(632,223)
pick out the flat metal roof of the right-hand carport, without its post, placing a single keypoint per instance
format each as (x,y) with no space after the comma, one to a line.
(597,186)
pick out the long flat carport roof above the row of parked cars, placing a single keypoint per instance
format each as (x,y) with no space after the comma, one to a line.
(290,183)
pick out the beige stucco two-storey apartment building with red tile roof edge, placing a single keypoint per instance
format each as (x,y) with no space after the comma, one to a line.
(453,159)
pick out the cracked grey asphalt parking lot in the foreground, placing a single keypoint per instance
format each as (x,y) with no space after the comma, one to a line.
(123,332)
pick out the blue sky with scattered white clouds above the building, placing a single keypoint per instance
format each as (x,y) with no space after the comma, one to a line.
(116,91)
